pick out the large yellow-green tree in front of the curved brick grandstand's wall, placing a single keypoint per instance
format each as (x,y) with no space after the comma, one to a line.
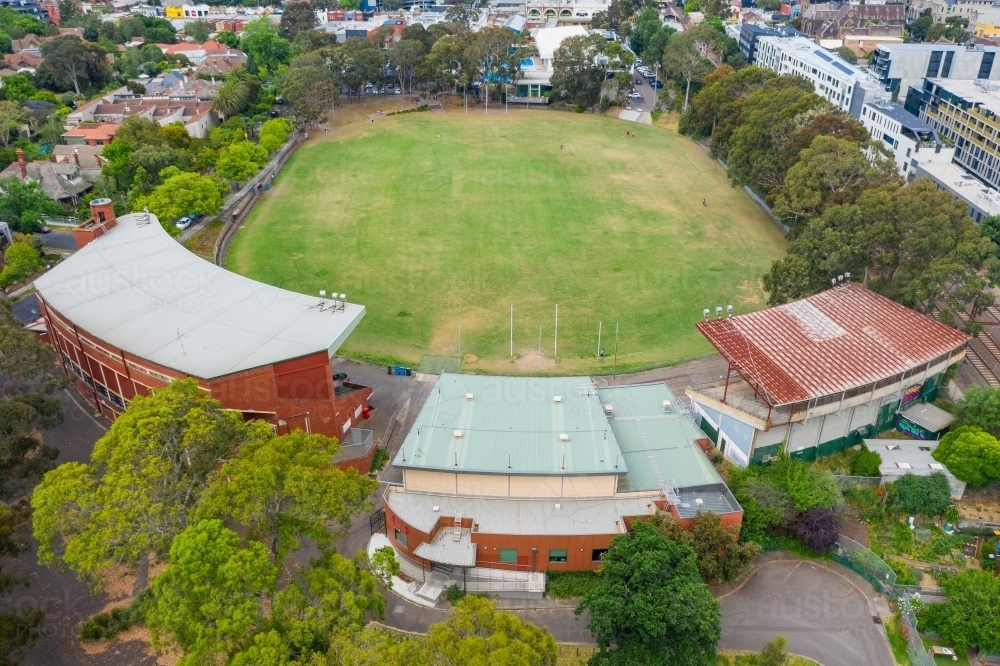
(144,479)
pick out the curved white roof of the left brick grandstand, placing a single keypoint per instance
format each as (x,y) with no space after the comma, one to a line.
(138,289)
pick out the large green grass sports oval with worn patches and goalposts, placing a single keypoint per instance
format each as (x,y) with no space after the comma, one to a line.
(440,220)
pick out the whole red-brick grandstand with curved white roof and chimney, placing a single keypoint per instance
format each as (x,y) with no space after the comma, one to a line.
(133,310)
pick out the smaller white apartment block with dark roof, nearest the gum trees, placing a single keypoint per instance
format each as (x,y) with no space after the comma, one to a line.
(911,140)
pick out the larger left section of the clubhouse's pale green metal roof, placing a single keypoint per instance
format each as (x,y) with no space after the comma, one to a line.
(512,425)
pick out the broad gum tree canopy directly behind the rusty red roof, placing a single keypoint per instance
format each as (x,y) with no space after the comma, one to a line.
(914,244)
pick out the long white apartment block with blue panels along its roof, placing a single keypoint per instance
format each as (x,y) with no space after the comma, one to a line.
(842,84)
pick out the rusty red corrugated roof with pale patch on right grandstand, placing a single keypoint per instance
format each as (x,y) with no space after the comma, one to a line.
(839,339)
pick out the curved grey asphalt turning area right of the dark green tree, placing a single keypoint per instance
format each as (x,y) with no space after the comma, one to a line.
(823,612)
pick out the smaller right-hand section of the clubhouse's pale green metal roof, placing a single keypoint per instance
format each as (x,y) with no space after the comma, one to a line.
(659,445)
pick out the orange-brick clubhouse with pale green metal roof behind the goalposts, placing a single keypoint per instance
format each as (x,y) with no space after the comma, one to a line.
(512,476)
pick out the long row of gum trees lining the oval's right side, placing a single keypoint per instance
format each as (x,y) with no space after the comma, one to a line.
(842,196)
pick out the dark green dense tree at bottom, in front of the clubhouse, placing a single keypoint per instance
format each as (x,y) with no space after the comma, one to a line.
(651,605)
